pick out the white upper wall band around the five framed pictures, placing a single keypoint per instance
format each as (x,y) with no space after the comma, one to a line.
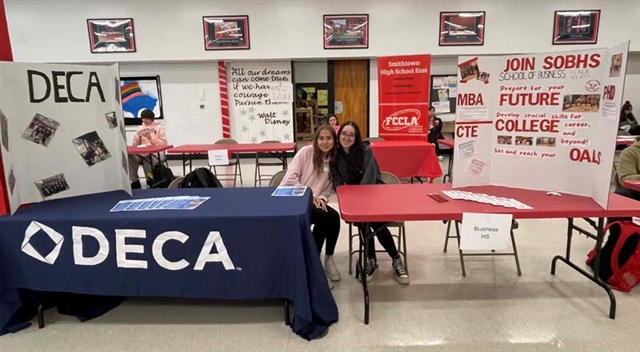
(56,30)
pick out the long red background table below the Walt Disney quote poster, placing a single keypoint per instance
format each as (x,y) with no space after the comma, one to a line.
(191,151)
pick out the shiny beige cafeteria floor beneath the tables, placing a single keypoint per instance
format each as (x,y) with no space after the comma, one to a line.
(491,309)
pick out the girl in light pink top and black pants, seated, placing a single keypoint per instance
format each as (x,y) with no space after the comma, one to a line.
(311,167)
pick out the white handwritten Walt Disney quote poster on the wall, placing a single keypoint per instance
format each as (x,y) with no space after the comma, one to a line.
(261,101)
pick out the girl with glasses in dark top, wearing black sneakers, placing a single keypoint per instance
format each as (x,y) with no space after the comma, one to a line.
(356,165)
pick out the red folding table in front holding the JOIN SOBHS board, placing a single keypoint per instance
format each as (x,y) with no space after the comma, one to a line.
(407,202)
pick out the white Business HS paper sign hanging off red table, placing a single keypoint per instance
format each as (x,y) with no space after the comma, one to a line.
(485,231)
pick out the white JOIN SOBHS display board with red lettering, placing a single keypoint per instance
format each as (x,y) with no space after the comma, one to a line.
(540,121)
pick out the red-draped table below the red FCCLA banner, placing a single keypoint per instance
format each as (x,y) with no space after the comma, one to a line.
(407,159)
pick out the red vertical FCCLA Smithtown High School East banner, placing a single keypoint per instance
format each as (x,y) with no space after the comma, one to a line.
(403,96)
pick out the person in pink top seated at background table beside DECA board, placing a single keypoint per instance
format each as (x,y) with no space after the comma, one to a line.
(150,133)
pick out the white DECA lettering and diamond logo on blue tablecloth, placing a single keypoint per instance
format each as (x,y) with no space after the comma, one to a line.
(124,248)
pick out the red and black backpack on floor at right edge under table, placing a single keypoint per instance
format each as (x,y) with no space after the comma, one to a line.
(620,256)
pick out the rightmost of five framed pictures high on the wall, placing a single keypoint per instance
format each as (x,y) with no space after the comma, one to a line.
(576,27)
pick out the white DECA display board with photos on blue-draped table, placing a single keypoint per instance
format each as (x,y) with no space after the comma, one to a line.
(62,131)
